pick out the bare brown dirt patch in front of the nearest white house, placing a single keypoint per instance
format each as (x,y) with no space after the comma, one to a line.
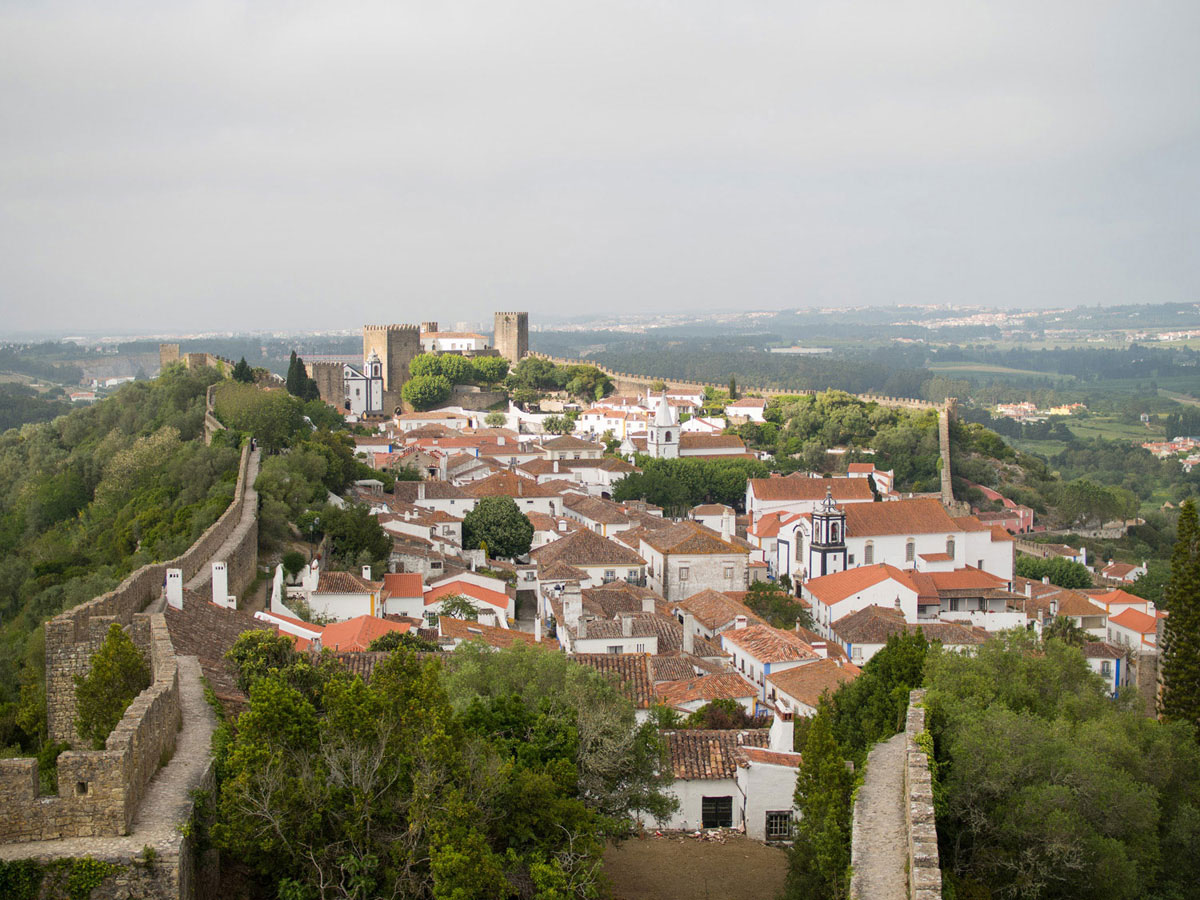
(673,868)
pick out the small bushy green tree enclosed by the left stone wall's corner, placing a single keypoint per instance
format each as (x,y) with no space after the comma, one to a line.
(118,675)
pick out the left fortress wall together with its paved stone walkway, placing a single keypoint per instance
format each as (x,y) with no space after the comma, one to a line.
(136,793)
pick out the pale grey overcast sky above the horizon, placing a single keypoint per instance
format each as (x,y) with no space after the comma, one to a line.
(321,165)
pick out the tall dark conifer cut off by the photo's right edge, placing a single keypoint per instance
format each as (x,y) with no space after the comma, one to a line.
(1181,631)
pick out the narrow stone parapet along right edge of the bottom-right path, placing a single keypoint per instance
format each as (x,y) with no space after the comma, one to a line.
(925,867)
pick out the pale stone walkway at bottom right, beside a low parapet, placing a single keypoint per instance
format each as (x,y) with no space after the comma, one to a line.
(881,844)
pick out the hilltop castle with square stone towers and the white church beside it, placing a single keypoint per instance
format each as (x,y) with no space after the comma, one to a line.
(375,387)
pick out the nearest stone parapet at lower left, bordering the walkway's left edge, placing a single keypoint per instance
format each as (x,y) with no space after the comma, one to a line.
(100,790)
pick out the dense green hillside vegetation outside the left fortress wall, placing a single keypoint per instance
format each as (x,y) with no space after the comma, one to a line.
(85,501)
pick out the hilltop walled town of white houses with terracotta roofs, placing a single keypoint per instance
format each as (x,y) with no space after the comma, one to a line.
(451,500)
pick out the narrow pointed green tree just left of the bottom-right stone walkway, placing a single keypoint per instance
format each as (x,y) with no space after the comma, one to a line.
(819,863)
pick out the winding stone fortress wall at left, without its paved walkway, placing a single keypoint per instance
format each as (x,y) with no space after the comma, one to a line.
(100,790)
